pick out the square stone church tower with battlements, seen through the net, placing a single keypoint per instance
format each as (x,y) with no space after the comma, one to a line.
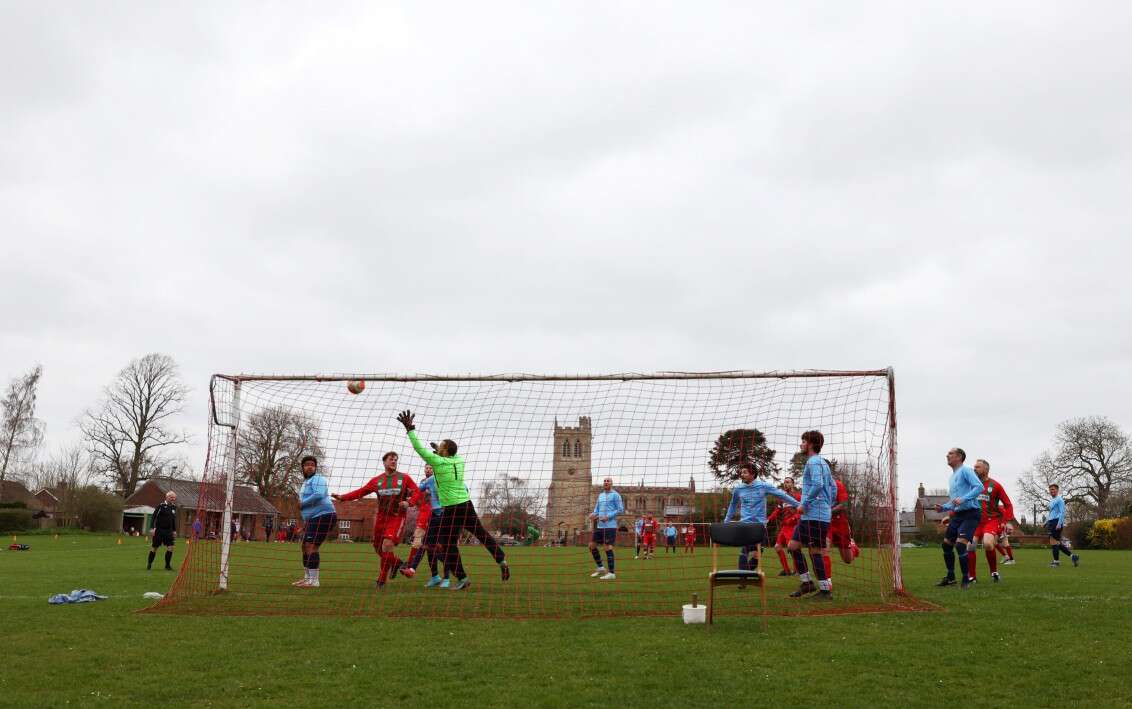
(570,497)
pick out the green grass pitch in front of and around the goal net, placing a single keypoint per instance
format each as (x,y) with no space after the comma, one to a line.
(1043,638)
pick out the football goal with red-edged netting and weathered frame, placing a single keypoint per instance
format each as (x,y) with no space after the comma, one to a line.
(537,450)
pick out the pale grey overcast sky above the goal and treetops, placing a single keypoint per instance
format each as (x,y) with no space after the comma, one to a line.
(584,189)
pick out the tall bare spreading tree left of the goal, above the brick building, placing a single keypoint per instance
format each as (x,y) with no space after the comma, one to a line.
(131,430)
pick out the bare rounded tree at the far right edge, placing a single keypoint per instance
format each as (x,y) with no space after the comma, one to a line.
(1092,464)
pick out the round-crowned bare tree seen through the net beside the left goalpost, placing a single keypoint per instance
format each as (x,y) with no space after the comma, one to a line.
(271,445)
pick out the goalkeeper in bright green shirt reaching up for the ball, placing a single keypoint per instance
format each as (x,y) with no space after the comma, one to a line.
(459,514)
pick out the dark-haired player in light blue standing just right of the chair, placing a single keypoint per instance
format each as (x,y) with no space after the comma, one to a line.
(819,494)
